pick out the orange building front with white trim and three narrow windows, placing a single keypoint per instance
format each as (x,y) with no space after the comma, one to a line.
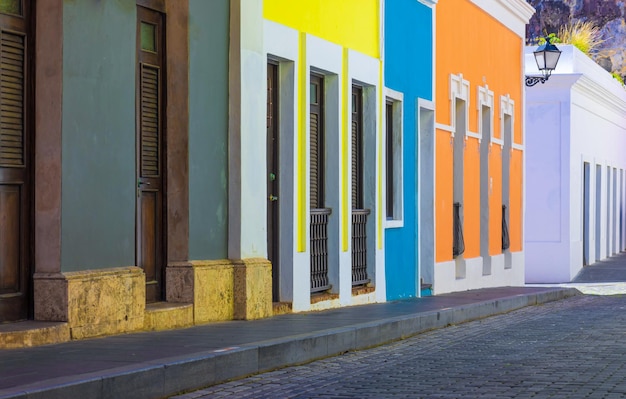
(479,144)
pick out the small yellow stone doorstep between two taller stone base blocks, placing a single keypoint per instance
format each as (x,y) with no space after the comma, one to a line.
(167,316)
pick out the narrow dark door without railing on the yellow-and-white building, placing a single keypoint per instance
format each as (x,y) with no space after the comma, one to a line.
(273,177)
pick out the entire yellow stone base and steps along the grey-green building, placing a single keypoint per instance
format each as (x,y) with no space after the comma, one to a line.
(111,301)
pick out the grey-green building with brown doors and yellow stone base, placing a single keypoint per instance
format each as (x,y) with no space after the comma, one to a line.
(127,183)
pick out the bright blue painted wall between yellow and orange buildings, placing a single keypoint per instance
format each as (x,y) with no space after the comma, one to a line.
(408,70)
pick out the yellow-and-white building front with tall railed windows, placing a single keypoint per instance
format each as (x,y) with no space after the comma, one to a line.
(324,151)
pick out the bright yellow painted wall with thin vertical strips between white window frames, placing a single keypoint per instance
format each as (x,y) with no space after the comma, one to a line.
(352,25)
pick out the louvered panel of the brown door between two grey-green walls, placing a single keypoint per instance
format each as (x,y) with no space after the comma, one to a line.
(150,107)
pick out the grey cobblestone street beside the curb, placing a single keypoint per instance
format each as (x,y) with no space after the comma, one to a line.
(575,348)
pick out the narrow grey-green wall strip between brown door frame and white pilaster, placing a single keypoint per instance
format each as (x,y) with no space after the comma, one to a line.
(208,129)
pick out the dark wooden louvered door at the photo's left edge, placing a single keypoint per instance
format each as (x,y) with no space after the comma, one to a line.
(15,160)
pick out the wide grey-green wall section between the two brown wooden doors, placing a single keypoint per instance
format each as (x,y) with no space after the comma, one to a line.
(98,143)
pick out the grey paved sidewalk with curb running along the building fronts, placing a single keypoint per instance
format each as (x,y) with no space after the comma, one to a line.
(159,364)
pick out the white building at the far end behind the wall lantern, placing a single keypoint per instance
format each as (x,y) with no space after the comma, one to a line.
(575,168)
